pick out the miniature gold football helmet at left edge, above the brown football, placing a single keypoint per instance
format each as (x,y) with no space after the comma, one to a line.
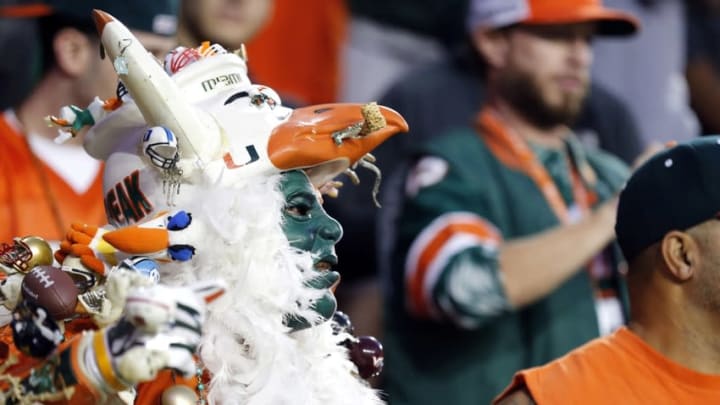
(26,253)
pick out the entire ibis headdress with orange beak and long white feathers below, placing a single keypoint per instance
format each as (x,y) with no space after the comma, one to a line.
(196,134)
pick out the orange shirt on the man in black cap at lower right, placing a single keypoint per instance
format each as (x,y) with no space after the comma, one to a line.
(616,369)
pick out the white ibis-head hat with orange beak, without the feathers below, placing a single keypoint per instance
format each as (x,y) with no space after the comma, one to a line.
(227,127)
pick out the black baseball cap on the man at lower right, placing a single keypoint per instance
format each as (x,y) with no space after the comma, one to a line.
(676,189)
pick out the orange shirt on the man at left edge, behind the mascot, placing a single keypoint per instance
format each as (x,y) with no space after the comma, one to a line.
(25,205)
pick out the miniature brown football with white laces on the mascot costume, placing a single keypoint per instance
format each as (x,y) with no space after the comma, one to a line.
(52,289)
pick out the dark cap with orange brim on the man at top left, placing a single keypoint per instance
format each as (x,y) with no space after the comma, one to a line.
(154,16)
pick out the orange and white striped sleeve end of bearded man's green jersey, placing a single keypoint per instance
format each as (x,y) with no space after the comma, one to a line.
(451,271)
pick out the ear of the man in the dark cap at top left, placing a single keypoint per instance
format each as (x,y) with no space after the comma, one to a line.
(73,53)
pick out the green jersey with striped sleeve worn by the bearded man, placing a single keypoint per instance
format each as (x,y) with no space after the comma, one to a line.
(451,337)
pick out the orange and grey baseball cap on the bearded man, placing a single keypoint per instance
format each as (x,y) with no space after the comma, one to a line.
(492,14)
